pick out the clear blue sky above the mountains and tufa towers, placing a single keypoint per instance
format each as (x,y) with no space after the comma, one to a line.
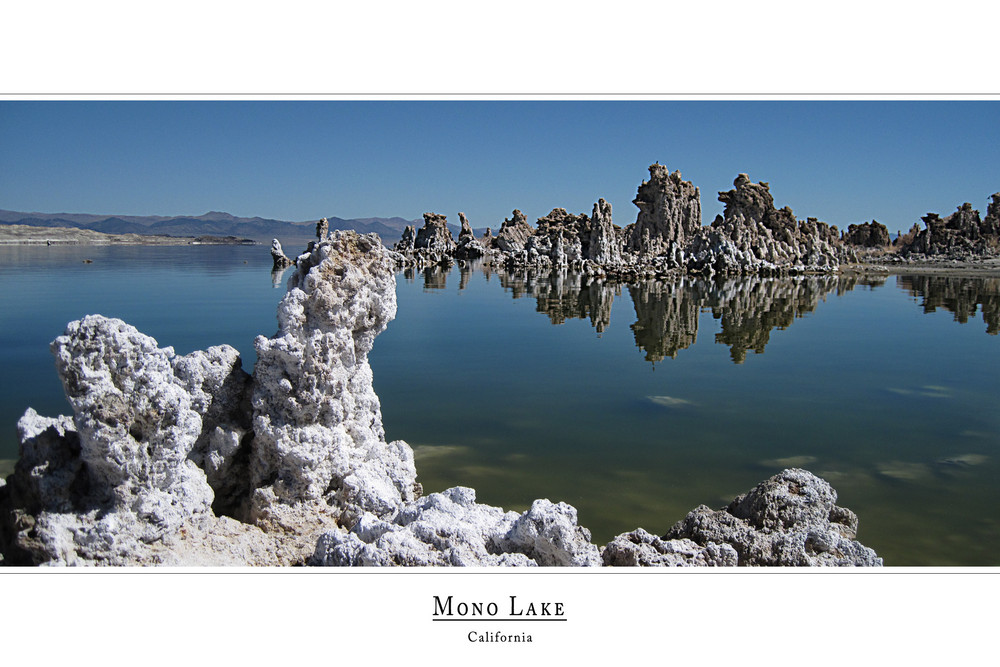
(839,161)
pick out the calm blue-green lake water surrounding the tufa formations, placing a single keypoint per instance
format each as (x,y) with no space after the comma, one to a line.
(633,403)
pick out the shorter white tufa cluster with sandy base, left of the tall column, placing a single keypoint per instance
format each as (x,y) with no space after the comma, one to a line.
(115,485)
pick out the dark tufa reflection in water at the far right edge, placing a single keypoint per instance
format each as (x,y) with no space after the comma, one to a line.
(960,296)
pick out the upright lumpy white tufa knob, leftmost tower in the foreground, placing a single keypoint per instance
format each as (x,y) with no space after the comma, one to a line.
(136,422)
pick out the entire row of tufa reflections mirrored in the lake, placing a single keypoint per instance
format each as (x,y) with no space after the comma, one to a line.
(748,308)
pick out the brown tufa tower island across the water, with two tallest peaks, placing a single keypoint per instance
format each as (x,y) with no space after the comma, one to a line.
(667,238)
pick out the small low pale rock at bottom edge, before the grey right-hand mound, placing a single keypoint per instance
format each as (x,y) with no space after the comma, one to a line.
(640,548)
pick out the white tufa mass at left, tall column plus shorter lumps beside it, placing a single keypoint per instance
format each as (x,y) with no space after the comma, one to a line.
(128,481)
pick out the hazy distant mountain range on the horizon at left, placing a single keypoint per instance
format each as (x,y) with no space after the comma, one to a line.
(215,223)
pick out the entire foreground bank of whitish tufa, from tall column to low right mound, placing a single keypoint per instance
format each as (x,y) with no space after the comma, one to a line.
(187,459)
